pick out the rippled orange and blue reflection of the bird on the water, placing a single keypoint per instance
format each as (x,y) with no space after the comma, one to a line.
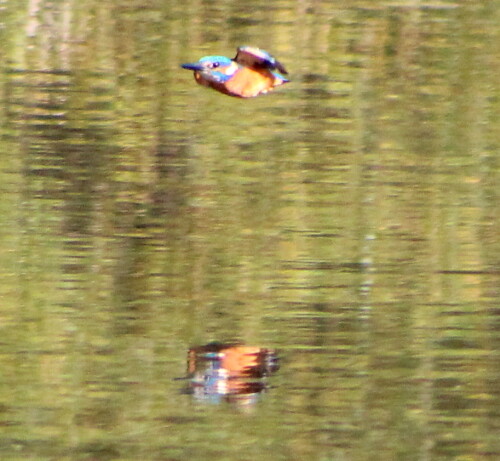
(229,372)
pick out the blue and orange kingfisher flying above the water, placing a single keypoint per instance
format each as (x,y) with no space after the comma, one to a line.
(250,73)
